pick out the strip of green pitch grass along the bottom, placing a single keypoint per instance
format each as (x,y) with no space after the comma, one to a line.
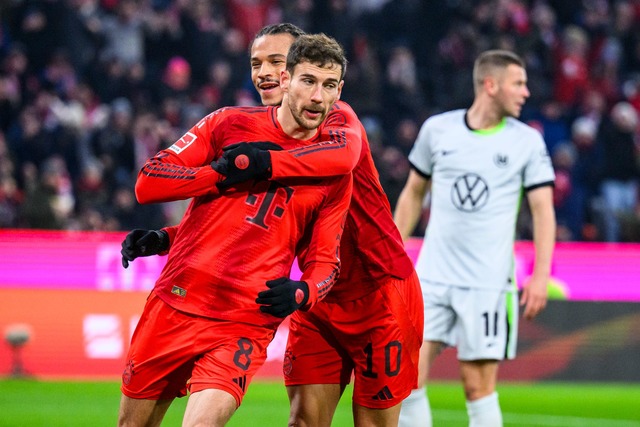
(26,403)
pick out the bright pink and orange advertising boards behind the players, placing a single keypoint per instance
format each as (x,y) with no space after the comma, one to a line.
(79,307)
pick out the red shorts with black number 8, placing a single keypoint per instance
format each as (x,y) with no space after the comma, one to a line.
(172,351)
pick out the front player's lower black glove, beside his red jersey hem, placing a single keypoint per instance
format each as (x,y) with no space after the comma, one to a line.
(283,297)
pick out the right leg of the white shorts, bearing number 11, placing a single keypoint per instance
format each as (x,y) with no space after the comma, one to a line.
(486,323)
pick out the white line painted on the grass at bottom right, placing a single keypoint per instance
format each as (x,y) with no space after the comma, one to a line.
(542,420)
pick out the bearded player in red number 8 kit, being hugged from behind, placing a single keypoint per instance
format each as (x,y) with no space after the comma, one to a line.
(201,329)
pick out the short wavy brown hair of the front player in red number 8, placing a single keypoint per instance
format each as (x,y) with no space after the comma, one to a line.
(317,49)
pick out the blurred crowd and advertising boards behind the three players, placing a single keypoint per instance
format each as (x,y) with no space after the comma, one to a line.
(90,89)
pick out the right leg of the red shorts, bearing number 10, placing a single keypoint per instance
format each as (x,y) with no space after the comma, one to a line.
(382,333)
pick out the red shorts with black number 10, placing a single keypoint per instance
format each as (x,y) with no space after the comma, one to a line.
(376,338)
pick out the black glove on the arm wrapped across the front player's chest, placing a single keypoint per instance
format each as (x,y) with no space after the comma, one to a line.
(245,161)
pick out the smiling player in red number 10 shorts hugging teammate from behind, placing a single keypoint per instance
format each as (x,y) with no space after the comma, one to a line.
(370,325)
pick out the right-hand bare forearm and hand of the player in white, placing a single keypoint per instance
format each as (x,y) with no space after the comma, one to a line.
(534,294)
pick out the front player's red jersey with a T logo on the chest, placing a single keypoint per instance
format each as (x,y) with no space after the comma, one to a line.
(226,248)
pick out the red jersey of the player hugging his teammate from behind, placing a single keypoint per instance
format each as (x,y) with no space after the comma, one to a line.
(372,248)
